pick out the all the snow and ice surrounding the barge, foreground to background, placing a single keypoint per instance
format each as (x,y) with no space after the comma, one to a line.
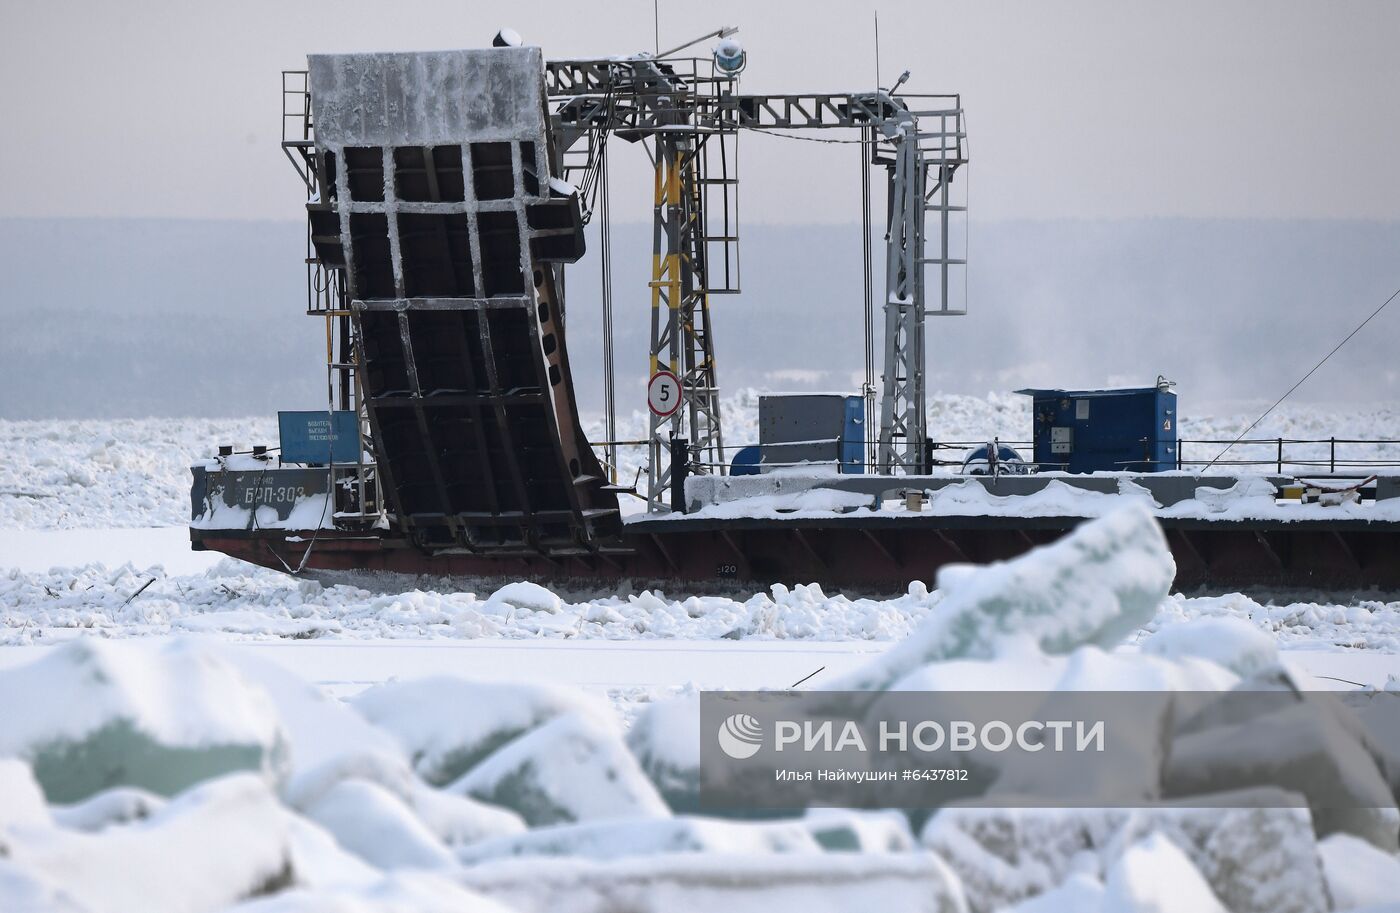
(563,802)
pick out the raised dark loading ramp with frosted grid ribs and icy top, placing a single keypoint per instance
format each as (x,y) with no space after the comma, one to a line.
(451,233)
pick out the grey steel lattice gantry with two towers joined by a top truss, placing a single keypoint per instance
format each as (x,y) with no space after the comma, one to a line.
(681,109)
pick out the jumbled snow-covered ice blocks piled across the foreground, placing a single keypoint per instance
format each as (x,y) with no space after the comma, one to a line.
(150,776)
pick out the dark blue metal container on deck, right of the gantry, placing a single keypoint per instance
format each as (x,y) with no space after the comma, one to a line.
(1105,431)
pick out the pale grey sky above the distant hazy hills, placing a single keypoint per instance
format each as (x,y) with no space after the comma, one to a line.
(1086,110)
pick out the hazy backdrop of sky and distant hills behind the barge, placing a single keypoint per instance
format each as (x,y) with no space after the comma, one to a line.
(1200,190)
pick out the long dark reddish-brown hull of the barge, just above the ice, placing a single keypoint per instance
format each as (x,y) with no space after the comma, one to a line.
(870,555)
